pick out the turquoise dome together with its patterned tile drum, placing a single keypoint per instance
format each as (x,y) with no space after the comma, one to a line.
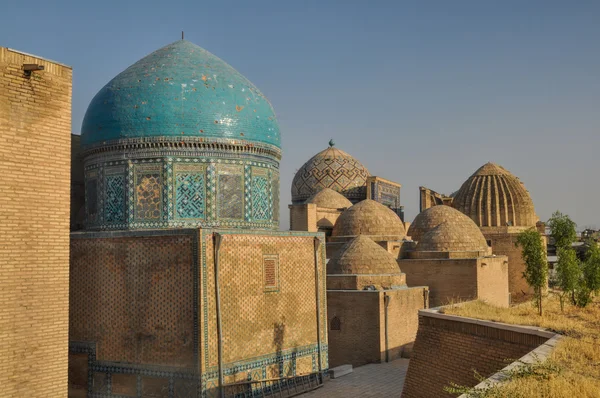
(181,139)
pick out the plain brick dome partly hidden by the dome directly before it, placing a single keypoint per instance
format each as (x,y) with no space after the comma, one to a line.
(436,215)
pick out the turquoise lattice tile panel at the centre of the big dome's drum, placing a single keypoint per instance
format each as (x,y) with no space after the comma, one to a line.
(190,195)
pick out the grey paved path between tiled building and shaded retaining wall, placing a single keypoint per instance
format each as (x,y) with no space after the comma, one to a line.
(374,380)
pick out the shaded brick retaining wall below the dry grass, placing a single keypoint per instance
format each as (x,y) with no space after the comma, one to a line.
(449,348)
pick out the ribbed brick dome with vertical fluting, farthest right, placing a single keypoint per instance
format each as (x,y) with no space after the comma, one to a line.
(494,197)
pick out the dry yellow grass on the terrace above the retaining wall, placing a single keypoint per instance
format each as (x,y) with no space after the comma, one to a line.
(577,355)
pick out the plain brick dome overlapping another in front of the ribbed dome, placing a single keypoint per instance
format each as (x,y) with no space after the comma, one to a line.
(447,237)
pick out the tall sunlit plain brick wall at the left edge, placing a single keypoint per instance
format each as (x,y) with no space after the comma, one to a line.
(35,139)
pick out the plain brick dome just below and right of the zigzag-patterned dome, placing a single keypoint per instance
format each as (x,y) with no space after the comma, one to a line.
(369,217)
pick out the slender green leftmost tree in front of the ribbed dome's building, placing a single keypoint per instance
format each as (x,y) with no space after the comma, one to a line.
(533,253)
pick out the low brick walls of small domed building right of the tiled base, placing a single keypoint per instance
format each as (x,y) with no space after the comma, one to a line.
(361,318)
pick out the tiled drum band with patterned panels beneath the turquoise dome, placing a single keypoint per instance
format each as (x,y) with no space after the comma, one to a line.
(180,192)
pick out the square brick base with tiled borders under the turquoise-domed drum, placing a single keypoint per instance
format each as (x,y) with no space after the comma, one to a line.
(145,315)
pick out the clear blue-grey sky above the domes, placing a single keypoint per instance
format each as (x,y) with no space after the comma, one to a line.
(422,93)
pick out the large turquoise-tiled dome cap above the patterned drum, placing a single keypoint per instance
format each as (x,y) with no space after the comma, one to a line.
(180,90)
